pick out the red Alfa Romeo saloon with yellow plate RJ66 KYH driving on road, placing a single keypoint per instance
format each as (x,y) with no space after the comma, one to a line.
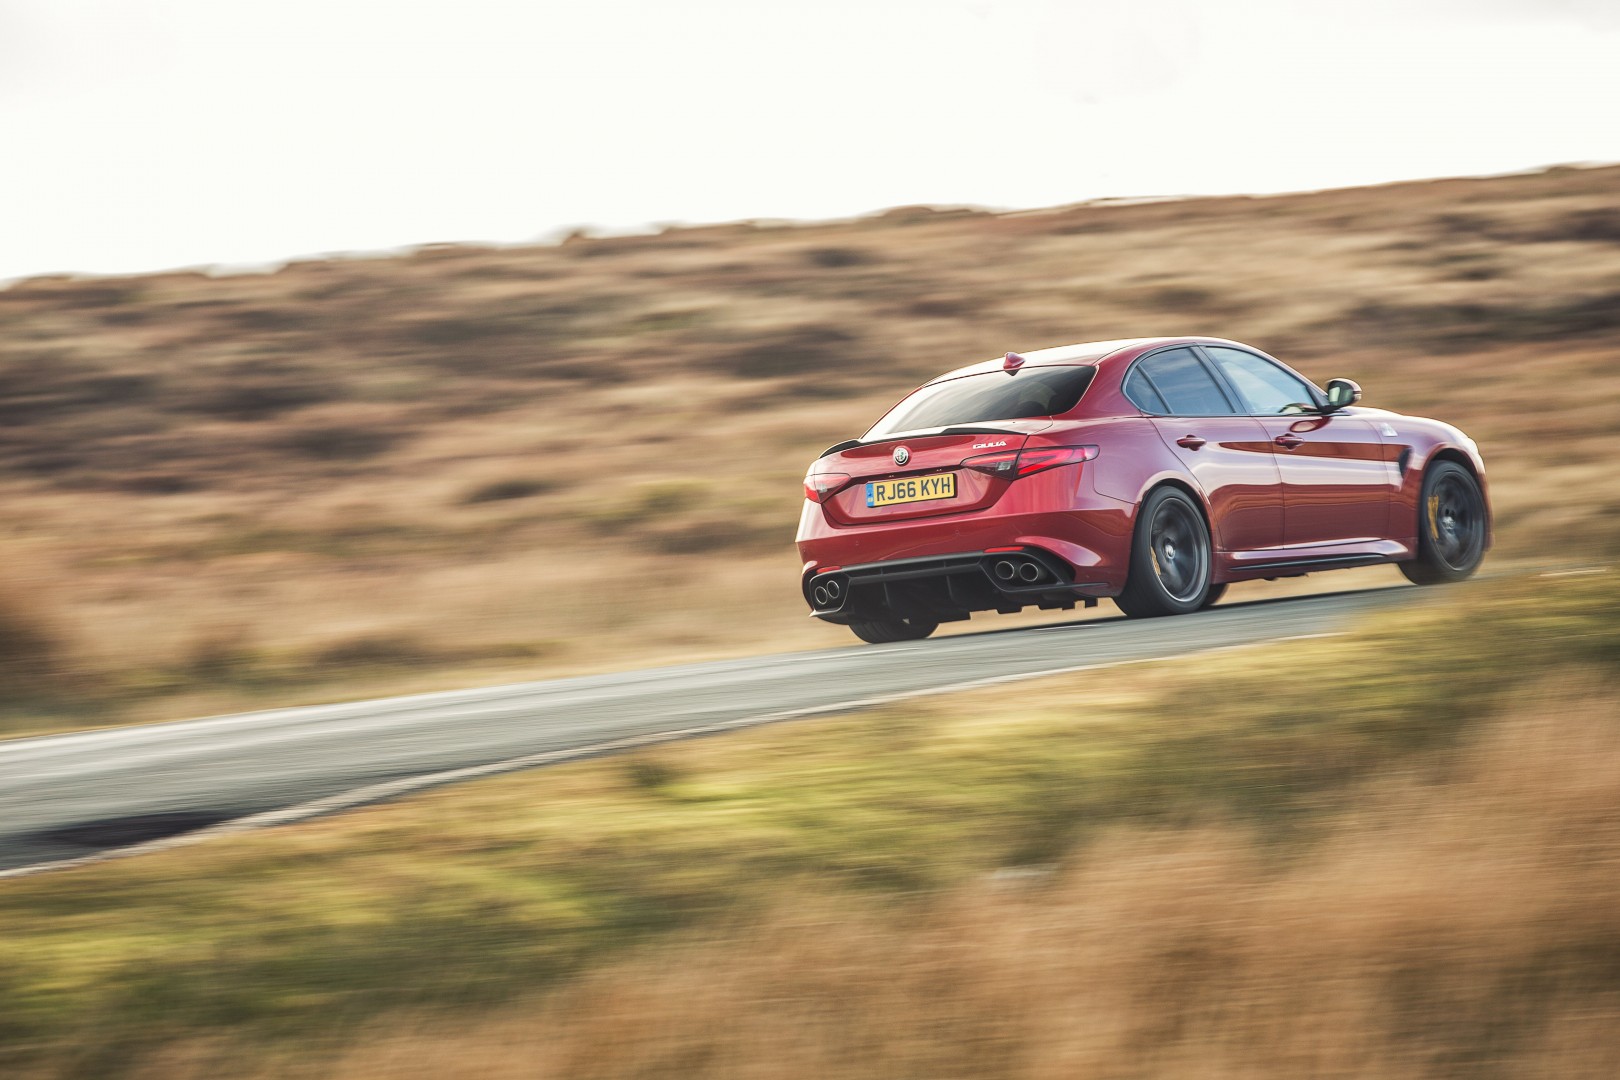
(1154,472)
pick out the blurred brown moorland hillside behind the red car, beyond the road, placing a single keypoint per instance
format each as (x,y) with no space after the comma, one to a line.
(474,464)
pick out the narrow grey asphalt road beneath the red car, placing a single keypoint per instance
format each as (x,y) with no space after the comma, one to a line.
(66,797)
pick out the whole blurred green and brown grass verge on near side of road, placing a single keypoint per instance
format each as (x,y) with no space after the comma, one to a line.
(837,861)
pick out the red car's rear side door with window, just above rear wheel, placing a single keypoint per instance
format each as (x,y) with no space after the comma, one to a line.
(1229,456)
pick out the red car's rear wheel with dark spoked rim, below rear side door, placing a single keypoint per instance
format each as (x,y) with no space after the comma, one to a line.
(1170,558)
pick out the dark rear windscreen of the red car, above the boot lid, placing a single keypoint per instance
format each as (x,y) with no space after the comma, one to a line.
(989,396)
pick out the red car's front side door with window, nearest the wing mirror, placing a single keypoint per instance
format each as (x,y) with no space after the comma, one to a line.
(1337,482)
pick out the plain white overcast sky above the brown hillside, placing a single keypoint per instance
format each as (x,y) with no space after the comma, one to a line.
(155,134)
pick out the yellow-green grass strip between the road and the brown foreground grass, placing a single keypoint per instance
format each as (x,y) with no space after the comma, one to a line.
(466,898)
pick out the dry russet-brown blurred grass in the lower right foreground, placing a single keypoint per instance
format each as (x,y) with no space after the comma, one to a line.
(1459,924)
